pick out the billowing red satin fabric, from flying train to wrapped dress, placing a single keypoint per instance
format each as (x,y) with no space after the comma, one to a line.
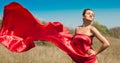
(19,29)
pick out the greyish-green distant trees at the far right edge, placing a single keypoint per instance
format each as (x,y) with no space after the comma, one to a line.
(115,32)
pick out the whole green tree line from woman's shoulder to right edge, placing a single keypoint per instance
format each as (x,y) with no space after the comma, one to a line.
(114,32)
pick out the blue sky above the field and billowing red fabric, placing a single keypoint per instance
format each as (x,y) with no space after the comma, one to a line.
(69,12)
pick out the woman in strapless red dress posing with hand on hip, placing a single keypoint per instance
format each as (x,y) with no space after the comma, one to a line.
(88,30)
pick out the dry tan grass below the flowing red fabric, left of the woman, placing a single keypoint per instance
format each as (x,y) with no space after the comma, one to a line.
(39,54)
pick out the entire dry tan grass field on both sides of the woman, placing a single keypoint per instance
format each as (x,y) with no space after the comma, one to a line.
(51,54)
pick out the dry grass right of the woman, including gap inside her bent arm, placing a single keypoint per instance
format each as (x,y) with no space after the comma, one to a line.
(110,55)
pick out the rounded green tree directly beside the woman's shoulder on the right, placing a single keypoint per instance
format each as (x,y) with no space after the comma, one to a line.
(102,28)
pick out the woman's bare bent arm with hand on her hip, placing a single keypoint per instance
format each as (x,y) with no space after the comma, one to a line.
(102,39)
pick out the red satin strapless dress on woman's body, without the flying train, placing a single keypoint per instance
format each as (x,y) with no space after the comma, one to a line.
(82,43)
